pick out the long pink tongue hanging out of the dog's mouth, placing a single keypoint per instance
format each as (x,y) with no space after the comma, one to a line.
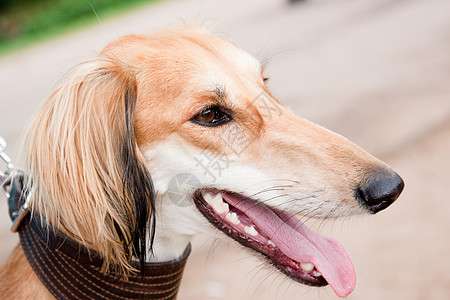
(302,244)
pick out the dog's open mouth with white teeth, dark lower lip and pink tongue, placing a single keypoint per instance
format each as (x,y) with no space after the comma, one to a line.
(300,253)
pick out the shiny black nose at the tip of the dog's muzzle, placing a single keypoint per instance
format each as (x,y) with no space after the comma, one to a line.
(381,190)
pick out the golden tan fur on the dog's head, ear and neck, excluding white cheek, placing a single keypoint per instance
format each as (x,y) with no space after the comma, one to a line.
(72,144)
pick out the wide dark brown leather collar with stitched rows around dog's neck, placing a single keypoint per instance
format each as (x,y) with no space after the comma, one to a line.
(68,271)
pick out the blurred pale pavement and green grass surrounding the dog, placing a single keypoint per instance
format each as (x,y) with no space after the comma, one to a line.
(376,71)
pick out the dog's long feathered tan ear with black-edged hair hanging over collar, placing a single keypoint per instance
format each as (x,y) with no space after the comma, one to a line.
(88,177)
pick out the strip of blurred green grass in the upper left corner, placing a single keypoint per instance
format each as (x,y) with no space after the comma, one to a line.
(24,22)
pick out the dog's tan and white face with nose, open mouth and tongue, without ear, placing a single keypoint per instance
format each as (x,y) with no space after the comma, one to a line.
(204,114)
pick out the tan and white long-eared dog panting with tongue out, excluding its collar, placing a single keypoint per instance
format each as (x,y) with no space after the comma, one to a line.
(163,137)
